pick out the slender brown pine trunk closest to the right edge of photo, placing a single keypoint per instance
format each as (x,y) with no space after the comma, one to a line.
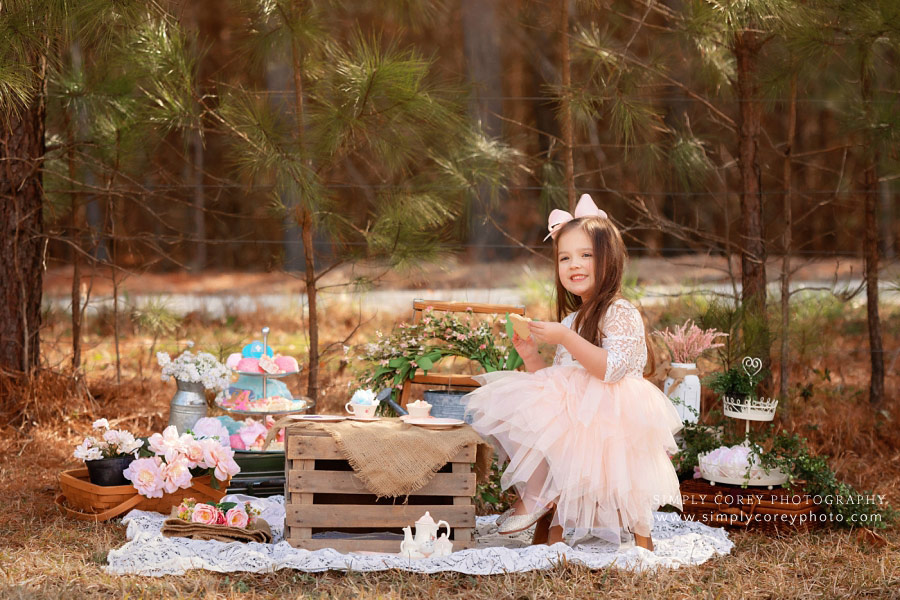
(871,250)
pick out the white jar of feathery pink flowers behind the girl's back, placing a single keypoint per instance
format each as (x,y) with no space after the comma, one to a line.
(686,344)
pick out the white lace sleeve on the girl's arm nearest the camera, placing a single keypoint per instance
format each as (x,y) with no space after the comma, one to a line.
(623,331)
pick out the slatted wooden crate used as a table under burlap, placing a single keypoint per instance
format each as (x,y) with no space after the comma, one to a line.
(322,494)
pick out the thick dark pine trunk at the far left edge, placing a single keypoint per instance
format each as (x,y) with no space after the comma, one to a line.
(22,239)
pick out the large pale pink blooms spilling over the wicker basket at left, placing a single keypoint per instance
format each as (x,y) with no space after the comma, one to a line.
(170,462)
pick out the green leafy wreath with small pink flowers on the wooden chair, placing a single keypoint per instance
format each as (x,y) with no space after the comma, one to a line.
(395,358)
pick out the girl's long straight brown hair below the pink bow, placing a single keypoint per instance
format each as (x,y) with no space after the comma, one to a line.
(609,270)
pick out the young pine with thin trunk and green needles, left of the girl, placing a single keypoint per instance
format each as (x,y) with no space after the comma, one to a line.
(364,100)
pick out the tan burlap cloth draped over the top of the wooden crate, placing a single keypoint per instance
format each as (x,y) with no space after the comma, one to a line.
(394,459)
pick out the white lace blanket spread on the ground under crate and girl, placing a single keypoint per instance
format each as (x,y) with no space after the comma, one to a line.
(147,552)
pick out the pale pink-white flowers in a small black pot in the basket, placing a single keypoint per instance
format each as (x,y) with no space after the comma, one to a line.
(107,456)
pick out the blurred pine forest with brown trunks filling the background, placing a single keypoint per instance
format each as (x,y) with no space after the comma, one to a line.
(302,136)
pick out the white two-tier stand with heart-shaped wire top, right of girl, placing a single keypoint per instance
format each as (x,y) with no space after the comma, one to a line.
(748,409)
